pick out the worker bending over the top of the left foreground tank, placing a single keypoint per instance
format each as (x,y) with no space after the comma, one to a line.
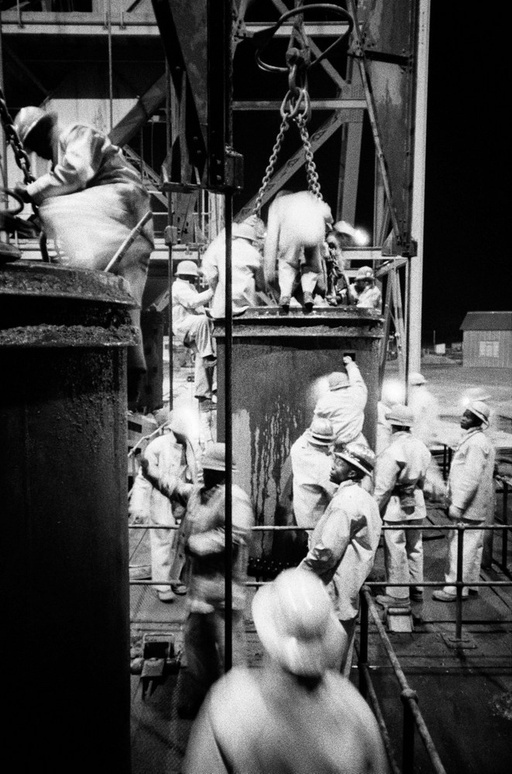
(89,203)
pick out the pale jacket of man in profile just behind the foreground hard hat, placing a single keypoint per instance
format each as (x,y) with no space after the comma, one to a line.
(343,546)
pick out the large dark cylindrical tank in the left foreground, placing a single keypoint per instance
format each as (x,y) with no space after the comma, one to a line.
(64,548)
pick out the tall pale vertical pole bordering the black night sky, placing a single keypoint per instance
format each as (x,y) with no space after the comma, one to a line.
(418,190)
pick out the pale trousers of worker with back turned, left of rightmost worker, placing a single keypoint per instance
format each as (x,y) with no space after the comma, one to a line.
(403,557)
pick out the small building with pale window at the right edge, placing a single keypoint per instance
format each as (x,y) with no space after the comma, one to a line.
(487,339)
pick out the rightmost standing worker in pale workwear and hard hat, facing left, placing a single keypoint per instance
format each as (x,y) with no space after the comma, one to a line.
(471,499)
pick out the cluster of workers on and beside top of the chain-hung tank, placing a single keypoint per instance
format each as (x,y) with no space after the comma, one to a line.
(297,257)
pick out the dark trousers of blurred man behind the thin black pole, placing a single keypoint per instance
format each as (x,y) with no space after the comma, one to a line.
(205,651)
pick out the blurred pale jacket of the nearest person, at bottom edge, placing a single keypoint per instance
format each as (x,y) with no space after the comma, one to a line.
(265,721)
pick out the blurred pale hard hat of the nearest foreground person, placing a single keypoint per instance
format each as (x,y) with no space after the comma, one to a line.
(295,621)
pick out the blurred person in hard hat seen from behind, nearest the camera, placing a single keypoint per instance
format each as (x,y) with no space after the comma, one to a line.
(297,714)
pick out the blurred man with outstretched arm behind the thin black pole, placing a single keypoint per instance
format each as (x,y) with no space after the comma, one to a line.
(205,538)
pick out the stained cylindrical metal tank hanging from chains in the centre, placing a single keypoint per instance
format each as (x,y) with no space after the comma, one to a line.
(280,364)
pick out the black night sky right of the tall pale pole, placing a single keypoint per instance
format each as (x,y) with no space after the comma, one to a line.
(467,264)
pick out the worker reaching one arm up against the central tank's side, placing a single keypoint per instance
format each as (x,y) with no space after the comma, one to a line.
(345,402)
